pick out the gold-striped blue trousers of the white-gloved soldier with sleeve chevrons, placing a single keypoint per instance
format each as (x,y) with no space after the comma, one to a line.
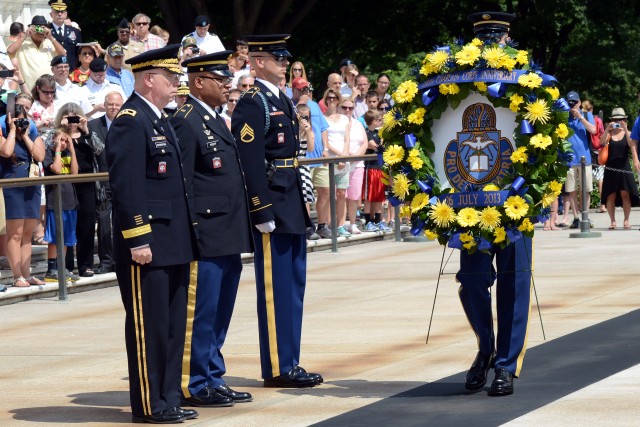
(281,274)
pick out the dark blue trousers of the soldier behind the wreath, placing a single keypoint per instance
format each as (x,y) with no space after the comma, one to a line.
(513,296)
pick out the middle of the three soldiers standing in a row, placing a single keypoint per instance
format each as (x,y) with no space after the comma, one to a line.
(221,217)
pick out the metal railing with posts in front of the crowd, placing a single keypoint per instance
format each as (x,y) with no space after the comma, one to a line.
(104,176)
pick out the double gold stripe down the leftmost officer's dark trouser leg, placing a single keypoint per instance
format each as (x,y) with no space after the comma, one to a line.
(138,319)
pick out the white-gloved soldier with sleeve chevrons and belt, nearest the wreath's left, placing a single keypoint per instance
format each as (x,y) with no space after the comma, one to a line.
(265,126)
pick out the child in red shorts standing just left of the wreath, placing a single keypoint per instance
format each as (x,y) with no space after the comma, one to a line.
(373,187)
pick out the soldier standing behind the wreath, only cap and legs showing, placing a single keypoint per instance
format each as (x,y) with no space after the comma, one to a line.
(513,276)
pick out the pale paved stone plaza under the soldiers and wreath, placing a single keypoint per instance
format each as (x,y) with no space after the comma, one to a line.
(366,317)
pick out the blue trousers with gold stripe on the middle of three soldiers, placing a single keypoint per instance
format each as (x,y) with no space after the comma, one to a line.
(212,295)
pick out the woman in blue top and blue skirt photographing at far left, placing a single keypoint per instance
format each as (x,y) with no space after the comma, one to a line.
(20,150)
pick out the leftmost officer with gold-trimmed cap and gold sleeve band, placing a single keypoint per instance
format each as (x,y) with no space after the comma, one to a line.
(153,237)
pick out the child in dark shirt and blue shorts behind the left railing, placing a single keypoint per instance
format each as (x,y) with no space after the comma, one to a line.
(60,159)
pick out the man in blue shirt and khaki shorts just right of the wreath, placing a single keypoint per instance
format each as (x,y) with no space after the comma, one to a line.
(583,126)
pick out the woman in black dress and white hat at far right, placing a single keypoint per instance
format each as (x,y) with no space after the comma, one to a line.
(618,185)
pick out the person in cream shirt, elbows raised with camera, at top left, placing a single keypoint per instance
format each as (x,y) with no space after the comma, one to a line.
(35,49)
